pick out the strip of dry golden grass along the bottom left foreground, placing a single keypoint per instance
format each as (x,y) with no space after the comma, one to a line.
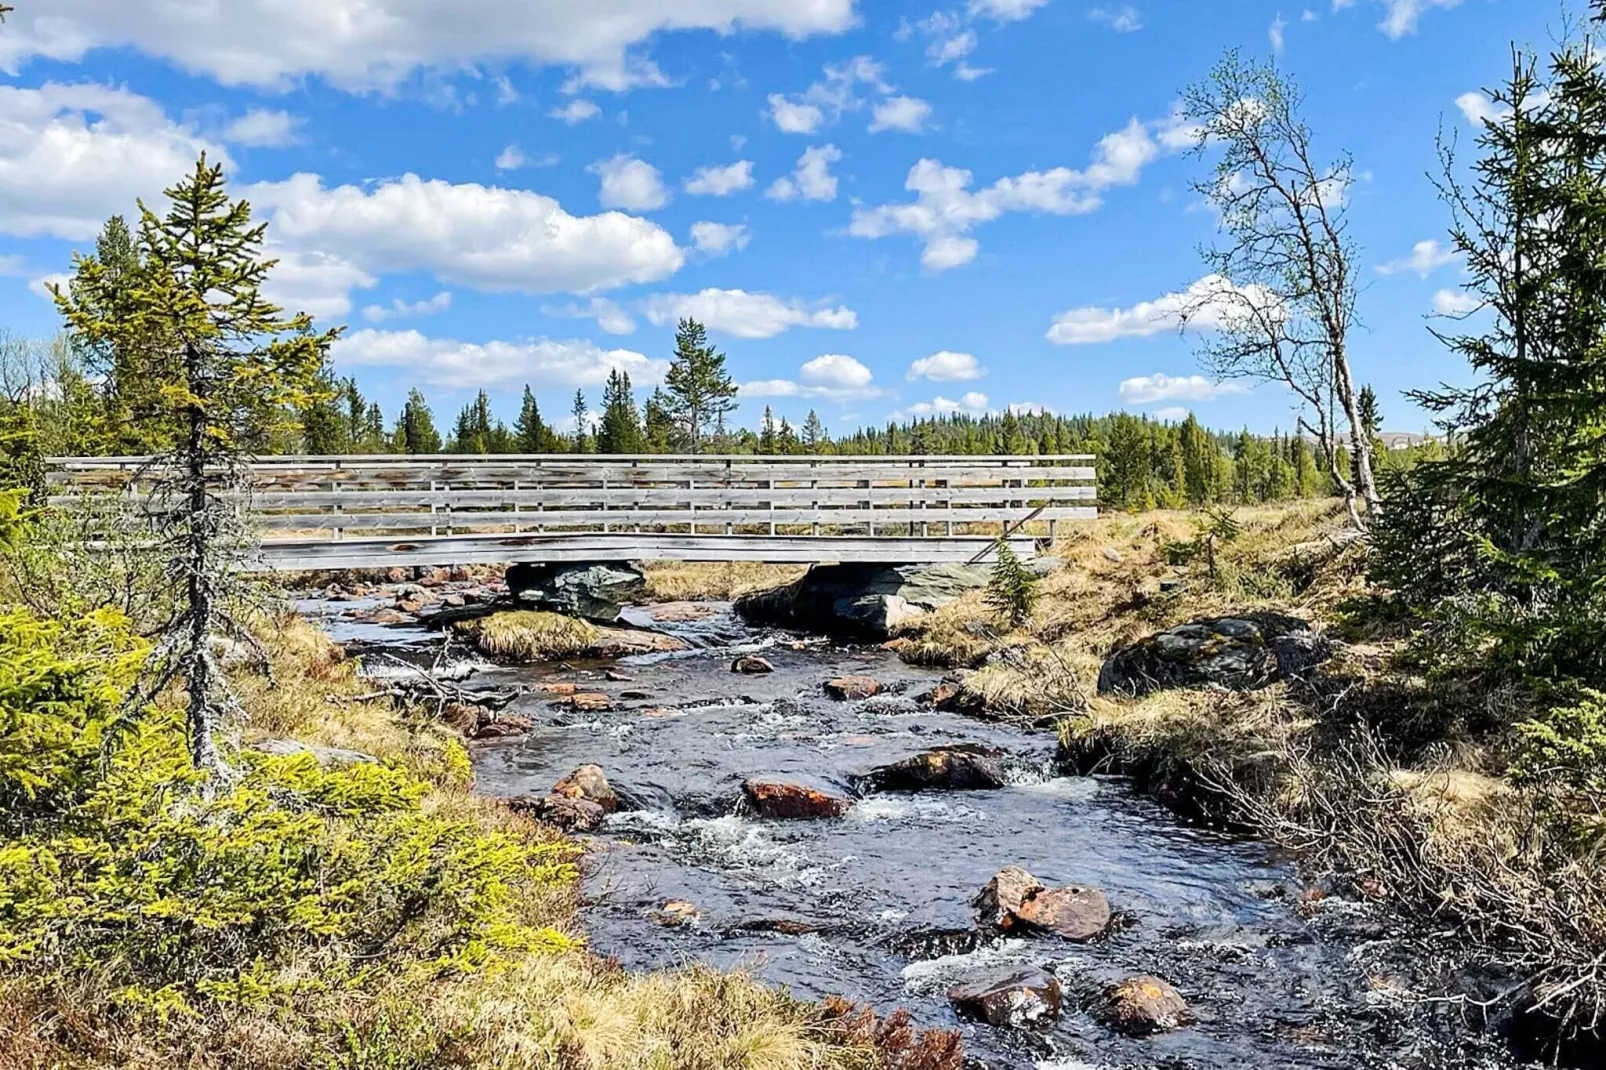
(552,1011)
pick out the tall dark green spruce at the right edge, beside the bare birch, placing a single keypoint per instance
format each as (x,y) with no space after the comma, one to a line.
(1518,510)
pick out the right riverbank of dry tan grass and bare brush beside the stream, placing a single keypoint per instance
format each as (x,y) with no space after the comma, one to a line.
(1396,785)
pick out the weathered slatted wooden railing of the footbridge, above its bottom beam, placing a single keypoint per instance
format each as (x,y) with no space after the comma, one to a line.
(295,499)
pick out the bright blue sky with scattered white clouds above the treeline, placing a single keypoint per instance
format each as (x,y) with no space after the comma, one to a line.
(879,211)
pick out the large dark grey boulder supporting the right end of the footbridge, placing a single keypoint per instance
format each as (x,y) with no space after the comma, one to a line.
(865,600)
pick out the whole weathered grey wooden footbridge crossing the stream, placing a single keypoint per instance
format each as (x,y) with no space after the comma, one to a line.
(452,510)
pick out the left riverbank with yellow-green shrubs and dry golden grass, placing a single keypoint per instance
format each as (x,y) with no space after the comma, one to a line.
(346,904)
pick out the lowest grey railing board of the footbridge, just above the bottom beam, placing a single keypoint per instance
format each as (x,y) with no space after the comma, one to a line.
(656,518)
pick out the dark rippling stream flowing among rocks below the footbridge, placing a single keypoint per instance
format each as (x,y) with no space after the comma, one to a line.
(874,905)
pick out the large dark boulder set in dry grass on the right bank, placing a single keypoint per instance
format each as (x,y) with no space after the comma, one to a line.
(1239,653)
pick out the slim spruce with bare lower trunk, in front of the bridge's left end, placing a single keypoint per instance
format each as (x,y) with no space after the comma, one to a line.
(229,364)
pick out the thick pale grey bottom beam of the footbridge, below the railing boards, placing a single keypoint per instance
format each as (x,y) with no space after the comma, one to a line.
(595,547)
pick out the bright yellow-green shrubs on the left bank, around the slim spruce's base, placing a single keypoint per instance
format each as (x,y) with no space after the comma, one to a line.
(174,892)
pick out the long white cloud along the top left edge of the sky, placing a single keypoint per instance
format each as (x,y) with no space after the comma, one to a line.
(380,44)
